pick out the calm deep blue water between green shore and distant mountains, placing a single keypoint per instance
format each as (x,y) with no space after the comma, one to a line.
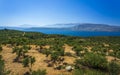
(74,33)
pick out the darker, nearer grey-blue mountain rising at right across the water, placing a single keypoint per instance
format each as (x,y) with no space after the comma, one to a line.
(95,27)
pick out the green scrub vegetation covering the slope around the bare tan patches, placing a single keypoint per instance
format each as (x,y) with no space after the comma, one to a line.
(90,52)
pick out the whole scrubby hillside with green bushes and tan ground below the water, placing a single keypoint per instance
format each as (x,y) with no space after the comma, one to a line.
(32,53)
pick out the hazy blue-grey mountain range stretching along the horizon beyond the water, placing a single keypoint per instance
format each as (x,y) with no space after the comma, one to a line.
(74,27)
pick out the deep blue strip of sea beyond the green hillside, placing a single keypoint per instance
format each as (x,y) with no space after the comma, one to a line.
(68,32)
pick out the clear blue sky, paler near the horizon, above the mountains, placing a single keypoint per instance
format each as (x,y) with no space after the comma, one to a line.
(46,12)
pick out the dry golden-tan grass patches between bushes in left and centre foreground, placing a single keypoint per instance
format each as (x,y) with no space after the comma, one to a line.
(18,69)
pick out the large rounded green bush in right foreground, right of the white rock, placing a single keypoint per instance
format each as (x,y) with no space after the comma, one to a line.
(93,60)
